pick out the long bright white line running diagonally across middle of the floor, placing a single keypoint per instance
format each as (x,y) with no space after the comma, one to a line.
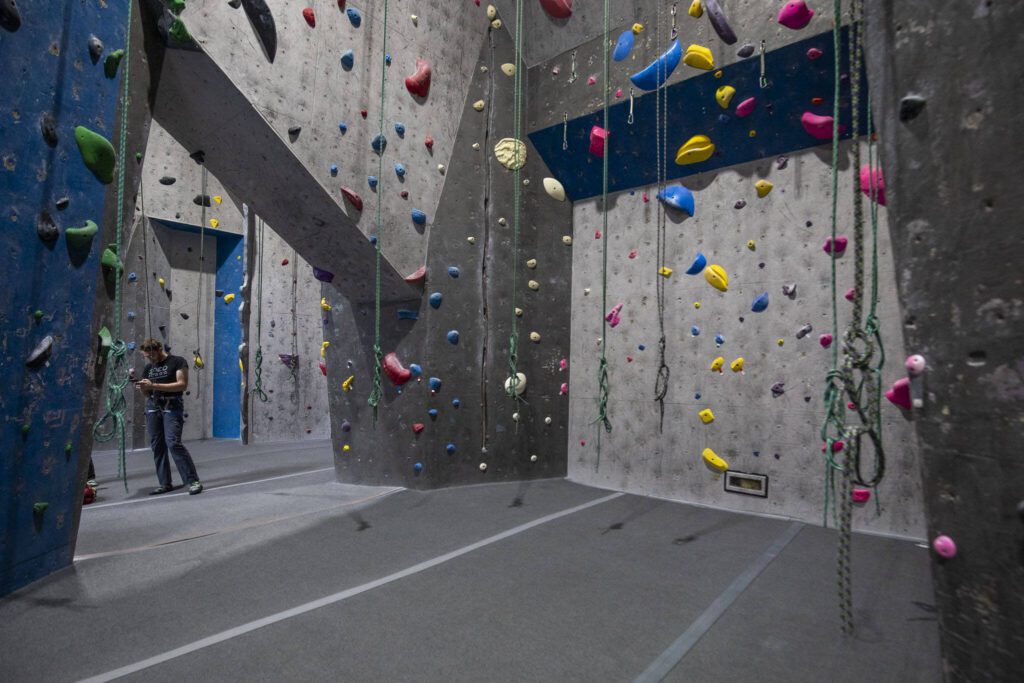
(337,597)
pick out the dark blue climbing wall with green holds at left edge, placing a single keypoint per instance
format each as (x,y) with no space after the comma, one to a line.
(48,70)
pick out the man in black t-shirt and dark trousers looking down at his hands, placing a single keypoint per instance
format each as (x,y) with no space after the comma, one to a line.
(164,381)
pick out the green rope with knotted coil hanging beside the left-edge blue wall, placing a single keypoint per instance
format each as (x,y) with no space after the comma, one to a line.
(113,422)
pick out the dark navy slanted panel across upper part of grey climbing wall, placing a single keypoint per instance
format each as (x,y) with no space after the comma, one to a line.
(795,82)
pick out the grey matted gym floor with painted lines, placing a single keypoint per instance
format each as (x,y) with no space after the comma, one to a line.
(277,574)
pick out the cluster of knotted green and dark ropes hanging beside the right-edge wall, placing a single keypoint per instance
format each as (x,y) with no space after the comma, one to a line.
(858,377)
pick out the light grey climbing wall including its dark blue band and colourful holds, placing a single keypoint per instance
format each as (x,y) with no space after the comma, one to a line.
(733,269)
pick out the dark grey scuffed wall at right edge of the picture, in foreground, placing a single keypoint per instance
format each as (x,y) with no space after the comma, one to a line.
(955,172)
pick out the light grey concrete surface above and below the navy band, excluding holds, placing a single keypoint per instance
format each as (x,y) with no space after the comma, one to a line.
(754,431)
